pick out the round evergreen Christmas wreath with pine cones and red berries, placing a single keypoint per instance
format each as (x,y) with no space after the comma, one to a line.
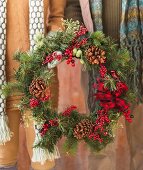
(113,88)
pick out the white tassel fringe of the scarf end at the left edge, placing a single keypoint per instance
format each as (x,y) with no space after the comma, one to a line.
(5,133)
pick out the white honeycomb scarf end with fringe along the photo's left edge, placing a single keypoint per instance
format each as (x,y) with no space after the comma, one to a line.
(5,133)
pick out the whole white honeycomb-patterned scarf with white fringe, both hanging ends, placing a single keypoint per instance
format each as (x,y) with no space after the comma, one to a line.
(36,24)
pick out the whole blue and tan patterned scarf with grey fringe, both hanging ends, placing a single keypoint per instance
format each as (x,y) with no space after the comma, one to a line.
(131,36)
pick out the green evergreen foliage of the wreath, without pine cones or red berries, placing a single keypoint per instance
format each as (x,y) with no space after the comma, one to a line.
(31,67)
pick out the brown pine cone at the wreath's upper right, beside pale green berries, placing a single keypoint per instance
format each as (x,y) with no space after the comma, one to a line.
(95,55)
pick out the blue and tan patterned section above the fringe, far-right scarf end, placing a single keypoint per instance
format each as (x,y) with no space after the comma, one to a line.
(132,18)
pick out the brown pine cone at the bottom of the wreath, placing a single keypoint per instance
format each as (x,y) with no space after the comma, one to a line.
(83,129)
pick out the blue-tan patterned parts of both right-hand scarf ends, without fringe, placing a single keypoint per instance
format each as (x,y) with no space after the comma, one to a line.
(131,17)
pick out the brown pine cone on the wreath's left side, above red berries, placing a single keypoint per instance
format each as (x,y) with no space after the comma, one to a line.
(37,88)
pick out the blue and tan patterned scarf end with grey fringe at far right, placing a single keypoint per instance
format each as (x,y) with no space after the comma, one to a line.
(131,36)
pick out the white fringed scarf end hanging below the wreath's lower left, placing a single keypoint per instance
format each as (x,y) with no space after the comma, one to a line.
(42,155)
